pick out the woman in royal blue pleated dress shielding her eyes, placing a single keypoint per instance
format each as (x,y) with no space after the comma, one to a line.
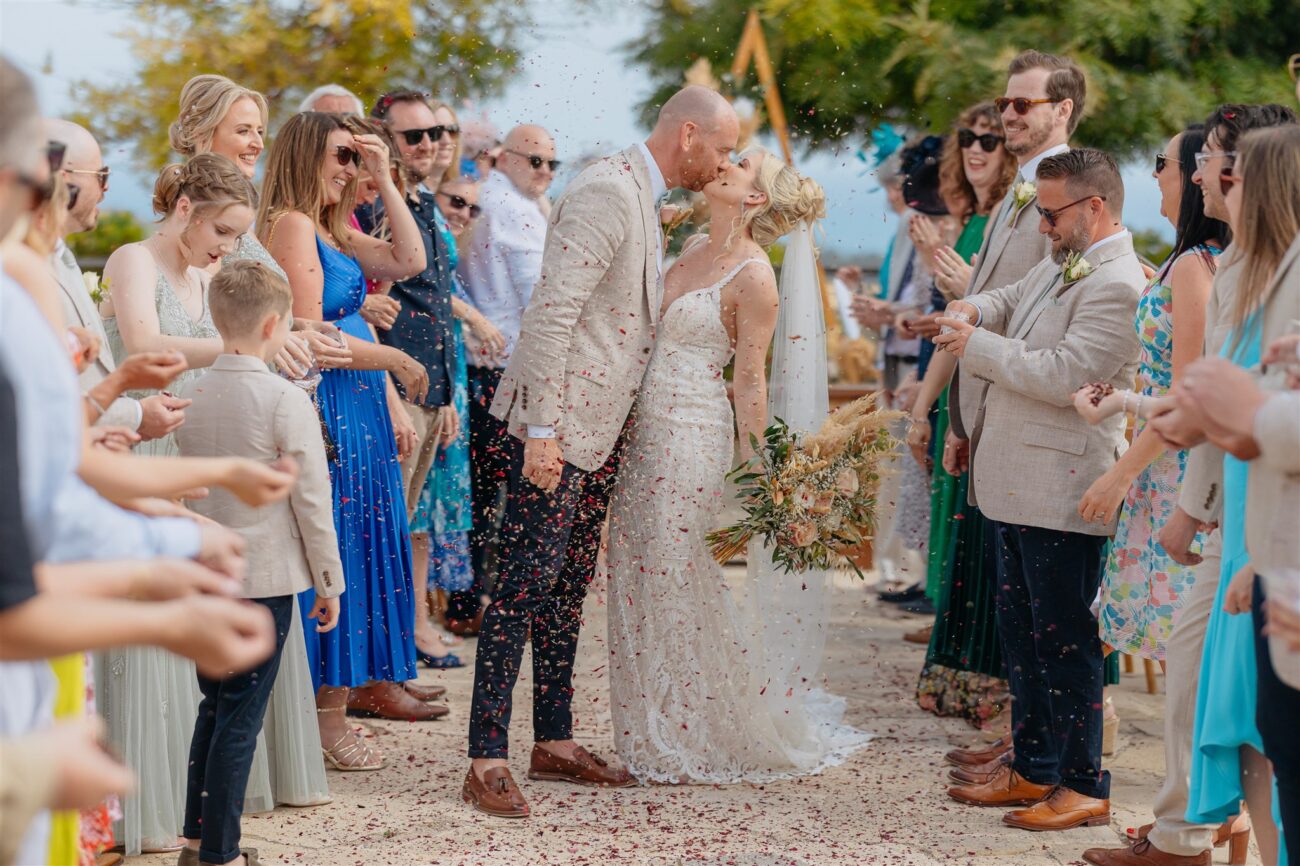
(307,198)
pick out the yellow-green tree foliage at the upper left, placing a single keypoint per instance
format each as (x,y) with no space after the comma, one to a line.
(287,49)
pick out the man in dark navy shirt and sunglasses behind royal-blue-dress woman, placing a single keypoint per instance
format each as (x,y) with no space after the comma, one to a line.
(428,141)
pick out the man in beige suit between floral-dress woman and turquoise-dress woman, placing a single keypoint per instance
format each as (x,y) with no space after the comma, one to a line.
(1177,835)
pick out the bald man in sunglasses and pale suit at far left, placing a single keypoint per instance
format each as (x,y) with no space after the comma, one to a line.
(84,167)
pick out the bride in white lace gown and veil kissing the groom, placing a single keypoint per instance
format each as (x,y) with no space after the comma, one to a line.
(714,683)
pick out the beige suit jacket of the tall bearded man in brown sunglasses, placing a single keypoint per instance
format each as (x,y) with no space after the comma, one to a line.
(1012,246)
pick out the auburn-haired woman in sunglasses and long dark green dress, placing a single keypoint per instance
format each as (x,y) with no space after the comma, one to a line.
(964,672)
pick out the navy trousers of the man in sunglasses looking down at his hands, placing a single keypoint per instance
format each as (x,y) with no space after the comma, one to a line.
(1047,582)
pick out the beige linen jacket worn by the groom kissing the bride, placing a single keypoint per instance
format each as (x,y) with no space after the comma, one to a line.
(588,332)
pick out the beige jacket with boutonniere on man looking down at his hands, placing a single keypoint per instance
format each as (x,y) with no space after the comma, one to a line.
(1033,456)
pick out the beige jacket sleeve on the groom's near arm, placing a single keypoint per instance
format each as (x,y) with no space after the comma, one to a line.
(588,228)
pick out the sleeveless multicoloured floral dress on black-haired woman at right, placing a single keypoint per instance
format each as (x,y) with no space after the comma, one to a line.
(1143,590)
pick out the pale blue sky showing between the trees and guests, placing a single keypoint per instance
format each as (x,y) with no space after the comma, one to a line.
(574,79)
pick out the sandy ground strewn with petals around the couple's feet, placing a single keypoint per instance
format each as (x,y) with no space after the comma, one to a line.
(886,806)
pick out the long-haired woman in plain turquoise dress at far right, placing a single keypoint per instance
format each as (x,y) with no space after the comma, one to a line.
(1228,751)
